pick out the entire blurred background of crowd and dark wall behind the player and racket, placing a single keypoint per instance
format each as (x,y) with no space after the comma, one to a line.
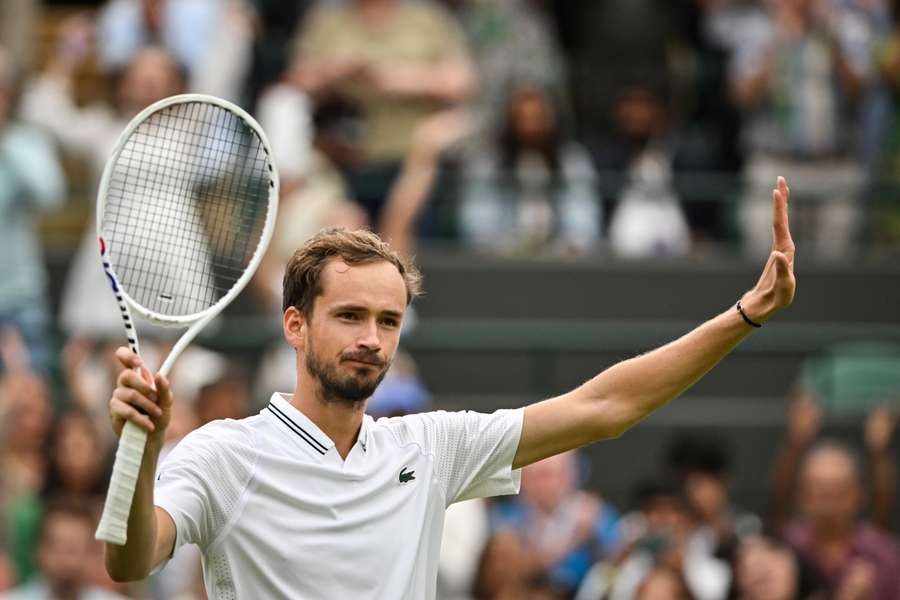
(580,181)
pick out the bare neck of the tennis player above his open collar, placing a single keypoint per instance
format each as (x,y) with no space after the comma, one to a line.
(340,421)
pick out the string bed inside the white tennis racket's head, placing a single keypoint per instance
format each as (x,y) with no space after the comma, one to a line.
(186,206)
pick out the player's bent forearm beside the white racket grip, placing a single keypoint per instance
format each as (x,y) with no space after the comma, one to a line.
(134,560)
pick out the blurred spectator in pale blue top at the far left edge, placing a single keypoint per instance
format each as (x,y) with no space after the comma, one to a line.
(31,182)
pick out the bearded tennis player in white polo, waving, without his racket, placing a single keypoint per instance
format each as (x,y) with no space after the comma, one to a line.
(312,498)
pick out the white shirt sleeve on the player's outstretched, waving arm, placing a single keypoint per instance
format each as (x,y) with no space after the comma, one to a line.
(473,452)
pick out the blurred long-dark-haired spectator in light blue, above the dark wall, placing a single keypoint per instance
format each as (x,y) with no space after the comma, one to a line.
(532,190)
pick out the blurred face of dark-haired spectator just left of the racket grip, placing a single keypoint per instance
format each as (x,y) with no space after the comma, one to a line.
(78,453)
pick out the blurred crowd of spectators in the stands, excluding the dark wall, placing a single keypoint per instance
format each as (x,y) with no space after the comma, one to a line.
(640,128)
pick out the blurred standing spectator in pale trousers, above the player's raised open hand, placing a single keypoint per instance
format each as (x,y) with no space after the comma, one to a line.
(797,71)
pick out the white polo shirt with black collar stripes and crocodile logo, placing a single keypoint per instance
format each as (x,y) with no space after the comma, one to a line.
(278,514)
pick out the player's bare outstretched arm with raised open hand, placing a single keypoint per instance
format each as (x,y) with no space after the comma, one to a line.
(619,397)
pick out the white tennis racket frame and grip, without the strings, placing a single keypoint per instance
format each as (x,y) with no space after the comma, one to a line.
(113,524)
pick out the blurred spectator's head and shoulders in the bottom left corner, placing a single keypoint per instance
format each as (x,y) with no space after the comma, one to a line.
(64,556)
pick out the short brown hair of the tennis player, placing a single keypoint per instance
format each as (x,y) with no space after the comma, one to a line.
(303,275)
